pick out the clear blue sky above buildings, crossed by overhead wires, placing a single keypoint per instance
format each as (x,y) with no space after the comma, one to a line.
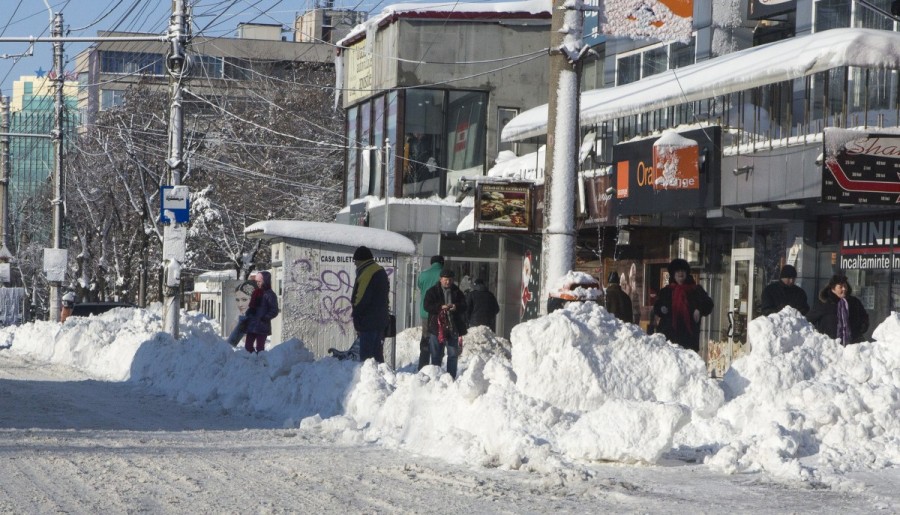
(83,18)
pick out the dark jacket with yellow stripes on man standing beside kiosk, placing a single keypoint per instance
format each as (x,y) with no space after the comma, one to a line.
(370,297)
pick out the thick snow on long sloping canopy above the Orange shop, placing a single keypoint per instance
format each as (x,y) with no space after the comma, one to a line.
(766,64)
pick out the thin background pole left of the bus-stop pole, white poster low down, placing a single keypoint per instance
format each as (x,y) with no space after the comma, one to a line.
(57,134)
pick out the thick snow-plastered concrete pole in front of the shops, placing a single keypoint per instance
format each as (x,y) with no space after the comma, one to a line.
(558,238)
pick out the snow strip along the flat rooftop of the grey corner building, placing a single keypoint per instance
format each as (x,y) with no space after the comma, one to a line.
(445,10)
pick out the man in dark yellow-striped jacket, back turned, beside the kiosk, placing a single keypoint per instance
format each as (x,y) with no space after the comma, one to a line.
(369,302)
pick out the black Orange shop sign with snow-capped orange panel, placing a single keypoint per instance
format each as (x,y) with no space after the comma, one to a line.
(677,172)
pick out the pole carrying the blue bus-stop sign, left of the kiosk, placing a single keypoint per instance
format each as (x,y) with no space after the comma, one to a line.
(177,67)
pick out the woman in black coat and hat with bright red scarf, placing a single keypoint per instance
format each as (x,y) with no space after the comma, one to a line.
(680,305)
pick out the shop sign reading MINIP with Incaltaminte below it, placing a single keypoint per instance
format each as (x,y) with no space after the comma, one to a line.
(871,244)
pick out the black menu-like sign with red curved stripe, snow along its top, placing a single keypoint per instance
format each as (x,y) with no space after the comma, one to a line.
(861,168)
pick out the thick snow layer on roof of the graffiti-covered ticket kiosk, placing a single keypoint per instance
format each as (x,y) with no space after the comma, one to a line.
(337,234)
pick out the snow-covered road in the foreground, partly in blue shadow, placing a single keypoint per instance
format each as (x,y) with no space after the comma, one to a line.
(75,445)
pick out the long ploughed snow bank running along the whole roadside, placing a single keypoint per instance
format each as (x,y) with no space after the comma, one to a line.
(575,385)
